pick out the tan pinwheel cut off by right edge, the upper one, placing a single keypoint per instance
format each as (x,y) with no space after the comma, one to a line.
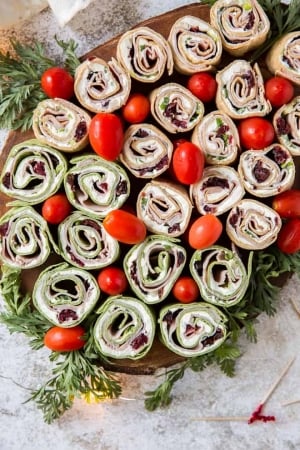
(284,57)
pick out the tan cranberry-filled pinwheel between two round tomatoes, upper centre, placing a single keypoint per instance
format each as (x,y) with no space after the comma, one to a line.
(175,108)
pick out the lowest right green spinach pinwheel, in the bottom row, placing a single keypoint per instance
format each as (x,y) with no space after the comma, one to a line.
(193,329)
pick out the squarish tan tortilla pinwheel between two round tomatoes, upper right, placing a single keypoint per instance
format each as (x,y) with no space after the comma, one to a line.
(240,91)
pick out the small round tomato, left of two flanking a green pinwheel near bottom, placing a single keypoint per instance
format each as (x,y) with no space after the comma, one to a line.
(112,280)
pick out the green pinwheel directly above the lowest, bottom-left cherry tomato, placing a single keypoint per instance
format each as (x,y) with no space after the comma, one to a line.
(65,295)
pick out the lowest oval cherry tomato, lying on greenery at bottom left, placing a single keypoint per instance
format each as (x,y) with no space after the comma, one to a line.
(64,339)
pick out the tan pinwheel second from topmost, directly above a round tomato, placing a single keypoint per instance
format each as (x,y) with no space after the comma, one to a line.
(196,46)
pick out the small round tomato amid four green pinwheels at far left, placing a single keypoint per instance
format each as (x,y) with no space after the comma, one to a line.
(56,208)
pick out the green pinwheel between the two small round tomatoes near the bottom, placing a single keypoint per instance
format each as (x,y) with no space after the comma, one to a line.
(153,266)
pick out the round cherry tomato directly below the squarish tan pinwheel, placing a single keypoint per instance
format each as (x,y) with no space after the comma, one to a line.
(256,133)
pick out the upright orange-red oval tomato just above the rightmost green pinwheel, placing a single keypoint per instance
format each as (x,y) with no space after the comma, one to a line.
(205,231)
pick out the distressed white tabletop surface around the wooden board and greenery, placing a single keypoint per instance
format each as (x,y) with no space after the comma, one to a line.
(125,424)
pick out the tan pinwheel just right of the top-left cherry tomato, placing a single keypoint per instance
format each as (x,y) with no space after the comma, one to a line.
(101,86)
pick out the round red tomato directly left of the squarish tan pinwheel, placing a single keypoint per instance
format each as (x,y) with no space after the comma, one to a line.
(203,85)
